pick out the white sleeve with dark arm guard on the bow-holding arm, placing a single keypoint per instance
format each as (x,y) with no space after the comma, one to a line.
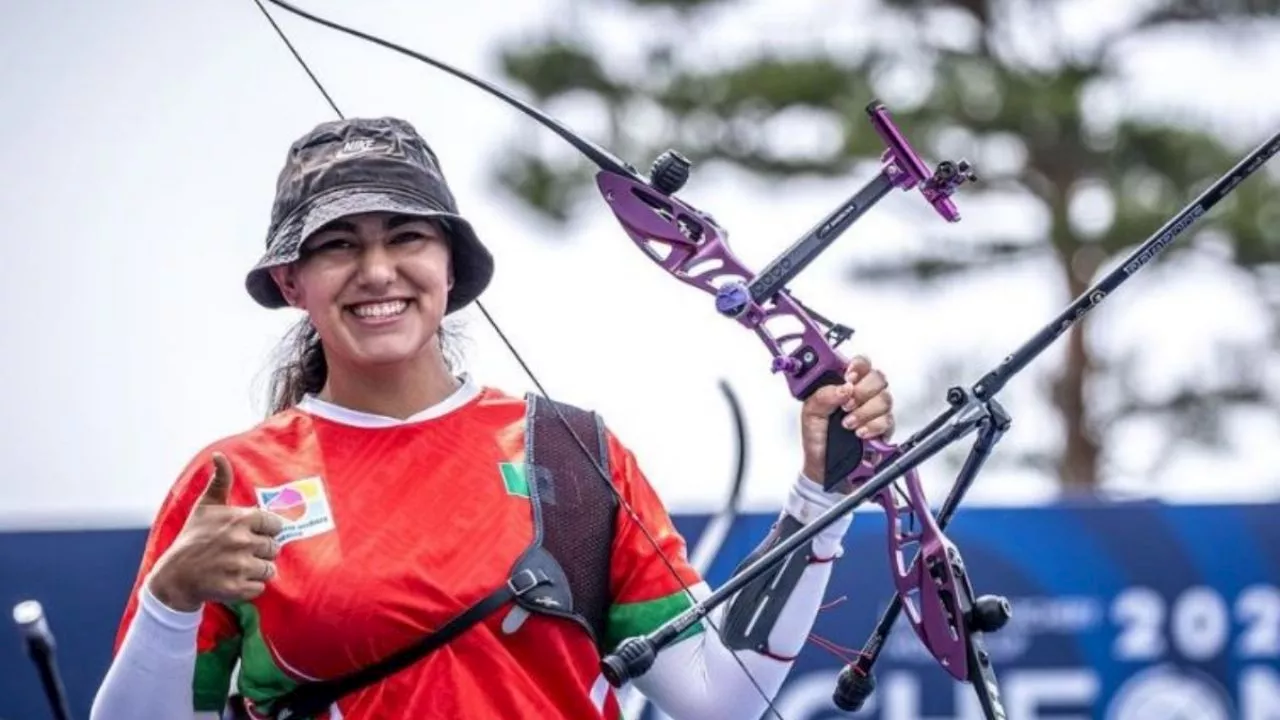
(698,678)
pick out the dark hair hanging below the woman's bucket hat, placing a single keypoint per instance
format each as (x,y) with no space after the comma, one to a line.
(303,368)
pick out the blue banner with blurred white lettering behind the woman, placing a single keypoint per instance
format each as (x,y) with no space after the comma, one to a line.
(1121,613)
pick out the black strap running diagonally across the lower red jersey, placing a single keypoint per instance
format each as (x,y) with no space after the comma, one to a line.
(312,699)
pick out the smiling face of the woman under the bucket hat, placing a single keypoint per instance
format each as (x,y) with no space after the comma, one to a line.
(374,286)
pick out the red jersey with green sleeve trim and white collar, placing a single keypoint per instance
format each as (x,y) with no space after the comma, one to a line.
(392,531)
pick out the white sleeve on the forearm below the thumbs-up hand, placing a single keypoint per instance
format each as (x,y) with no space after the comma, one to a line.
(153,673)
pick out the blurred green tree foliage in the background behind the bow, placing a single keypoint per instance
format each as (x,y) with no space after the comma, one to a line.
(999,78)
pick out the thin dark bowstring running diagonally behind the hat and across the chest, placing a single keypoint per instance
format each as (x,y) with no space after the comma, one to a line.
(511,348)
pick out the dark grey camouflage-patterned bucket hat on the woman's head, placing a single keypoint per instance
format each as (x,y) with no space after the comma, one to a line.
(362,166)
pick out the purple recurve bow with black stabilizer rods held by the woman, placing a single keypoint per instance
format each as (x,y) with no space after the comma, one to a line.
(934,587)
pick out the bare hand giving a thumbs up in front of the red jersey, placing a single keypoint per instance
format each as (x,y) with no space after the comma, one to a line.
(223,554)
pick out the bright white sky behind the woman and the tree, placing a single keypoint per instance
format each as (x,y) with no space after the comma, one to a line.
(141,142)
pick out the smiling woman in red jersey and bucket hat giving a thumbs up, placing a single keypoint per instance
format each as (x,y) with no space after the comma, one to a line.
(388,494)
